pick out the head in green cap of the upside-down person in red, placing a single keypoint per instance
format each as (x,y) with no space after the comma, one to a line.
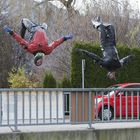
(38,59)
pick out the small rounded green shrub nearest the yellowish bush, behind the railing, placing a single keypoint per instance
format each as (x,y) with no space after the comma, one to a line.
(49,81)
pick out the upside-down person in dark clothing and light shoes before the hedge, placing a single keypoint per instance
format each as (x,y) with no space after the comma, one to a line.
(110,60)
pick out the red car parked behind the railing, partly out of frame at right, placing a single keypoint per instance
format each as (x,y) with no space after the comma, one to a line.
(122,104)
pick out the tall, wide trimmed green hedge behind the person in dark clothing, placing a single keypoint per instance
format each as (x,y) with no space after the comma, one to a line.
(95,76)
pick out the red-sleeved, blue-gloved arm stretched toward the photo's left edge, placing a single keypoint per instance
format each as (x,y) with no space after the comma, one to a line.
(17,37)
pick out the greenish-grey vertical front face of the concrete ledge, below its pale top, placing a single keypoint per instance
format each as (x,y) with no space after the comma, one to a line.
(115,134)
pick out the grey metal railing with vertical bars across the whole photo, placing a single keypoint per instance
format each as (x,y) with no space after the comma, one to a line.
(19,107)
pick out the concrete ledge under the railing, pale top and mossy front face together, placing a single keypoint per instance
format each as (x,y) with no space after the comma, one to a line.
(77,132)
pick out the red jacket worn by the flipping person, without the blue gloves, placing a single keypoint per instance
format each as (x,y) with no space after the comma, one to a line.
(39,43)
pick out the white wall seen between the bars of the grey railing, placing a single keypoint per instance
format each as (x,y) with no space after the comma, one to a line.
(26,109)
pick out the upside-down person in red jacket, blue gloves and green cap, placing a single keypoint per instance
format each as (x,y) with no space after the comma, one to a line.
(38,42)
